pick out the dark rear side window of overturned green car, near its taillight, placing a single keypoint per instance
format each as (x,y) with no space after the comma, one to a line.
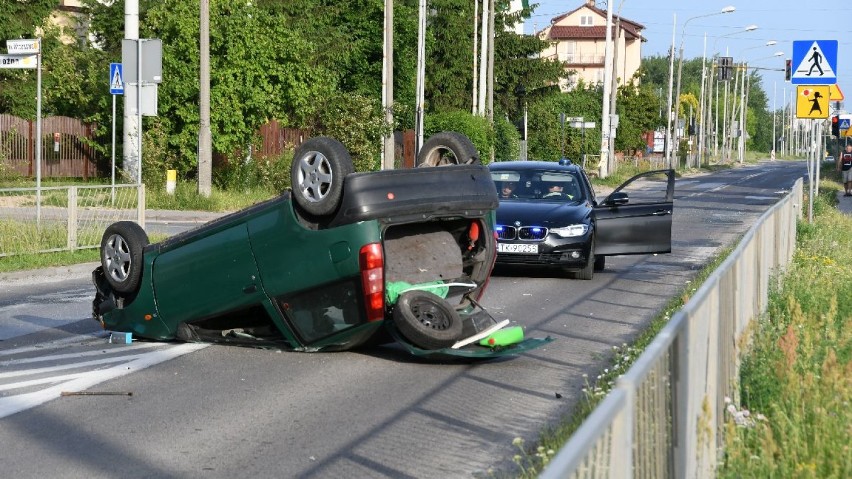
(322,311)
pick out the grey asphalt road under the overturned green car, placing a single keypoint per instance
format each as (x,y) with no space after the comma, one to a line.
(235,412)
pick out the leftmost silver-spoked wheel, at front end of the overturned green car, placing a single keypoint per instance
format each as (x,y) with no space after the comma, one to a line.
(121,255)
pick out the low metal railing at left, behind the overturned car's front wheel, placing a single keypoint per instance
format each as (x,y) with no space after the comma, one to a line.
(57,218)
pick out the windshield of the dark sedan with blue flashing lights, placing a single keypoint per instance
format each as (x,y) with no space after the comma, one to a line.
(538,185)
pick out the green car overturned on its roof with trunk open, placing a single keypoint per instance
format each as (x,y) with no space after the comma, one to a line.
(342,260)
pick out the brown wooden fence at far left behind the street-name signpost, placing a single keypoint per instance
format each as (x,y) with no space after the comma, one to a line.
(65,147)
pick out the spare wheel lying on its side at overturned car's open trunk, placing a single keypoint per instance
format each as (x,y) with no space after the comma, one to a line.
(426,320)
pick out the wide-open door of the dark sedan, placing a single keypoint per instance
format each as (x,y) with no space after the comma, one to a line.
(636,218)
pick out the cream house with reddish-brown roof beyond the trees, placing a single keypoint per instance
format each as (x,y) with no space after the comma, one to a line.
(578,40)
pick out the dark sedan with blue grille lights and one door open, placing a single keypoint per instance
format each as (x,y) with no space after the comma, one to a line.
(549,215)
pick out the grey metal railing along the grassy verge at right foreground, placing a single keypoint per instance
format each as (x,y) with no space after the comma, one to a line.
(665,416)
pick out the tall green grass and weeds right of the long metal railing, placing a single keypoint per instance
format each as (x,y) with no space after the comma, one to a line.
(796,380)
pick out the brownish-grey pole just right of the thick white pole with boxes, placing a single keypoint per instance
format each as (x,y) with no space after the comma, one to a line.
(205,147)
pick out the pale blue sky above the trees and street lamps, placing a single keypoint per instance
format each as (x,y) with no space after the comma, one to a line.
(782,21)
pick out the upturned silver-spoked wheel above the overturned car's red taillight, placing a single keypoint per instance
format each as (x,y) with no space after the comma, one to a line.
(319,166)
